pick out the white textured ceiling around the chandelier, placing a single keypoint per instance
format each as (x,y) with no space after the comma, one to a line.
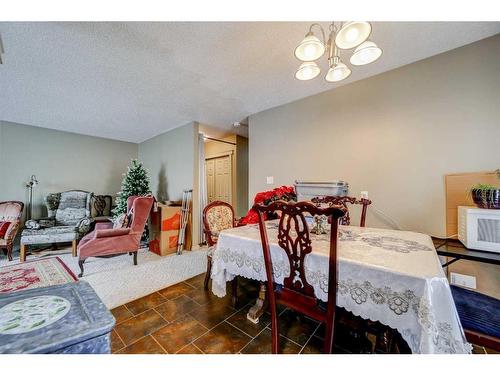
(133,80)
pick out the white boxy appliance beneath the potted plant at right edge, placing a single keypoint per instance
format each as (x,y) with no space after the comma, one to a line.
(479,228)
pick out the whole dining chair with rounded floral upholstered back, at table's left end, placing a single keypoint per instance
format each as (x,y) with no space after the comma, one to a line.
(217,216)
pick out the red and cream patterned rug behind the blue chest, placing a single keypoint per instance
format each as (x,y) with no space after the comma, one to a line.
(34,274)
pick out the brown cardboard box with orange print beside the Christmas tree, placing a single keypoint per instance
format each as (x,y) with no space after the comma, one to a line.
(164,229)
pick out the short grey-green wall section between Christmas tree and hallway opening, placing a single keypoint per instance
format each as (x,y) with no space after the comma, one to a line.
(172,161)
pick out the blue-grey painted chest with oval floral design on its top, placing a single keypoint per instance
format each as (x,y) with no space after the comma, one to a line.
(68,318)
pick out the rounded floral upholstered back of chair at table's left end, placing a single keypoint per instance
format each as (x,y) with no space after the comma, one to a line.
(217,216)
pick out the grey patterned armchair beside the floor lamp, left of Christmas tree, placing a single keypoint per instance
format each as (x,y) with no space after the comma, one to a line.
(69,219)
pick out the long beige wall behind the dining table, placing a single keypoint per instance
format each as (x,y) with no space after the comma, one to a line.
(396,135)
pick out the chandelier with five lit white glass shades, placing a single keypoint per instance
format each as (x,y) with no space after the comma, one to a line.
(343,36)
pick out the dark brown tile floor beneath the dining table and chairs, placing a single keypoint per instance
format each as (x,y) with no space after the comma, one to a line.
(186,319)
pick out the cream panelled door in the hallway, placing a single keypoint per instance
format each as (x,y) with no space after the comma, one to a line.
(219,179)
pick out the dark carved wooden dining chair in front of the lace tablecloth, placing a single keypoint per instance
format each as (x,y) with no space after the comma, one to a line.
(293,237)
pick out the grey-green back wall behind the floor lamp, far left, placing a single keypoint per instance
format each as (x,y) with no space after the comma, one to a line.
(60,160)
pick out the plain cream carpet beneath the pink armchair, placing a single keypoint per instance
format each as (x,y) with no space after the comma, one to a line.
(117,281)
